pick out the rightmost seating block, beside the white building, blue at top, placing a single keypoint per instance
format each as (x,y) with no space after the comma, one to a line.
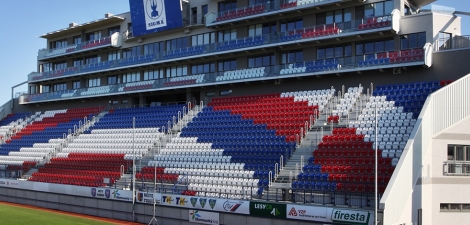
(344,160)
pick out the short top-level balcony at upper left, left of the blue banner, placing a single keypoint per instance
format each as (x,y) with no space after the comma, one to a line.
(114,40)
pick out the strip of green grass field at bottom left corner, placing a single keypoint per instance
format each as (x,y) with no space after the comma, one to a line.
(13,215)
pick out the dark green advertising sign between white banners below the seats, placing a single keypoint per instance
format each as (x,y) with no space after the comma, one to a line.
(267,209)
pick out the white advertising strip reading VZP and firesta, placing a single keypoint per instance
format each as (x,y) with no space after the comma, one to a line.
(325,214)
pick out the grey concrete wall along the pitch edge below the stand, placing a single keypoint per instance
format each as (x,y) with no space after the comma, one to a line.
(123,210)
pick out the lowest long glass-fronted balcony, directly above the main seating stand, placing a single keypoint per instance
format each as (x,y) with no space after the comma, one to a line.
(375,61)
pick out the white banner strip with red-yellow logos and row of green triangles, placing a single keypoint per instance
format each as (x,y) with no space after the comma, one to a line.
(210,204)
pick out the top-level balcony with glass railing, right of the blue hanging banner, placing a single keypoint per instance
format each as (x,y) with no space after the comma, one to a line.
(270,8)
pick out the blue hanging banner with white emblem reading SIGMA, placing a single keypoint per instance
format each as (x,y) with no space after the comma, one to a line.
(152,16)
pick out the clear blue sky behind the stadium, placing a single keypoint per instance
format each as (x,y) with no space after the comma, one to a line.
(23,21)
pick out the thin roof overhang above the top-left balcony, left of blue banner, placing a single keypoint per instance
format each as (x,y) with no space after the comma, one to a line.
(83,26)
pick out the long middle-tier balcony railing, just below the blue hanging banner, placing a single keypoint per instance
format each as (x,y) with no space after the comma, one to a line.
(306,34)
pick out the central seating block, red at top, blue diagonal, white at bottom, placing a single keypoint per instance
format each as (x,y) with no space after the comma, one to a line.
(237,142)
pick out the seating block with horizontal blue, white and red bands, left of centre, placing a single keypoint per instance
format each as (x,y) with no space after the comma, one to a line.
(107,148)
